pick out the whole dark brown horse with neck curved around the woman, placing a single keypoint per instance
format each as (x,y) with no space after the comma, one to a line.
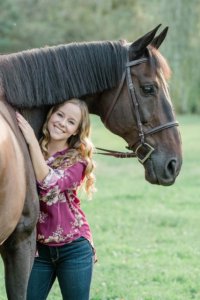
(140,112)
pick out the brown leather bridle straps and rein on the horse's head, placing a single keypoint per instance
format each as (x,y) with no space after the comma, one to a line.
(143,150)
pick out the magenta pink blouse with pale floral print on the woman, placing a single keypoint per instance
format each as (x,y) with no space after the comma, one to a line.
(61,219)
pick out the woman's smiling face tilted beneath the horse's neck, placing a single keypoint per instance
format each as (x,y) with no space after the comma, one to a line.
(64,122)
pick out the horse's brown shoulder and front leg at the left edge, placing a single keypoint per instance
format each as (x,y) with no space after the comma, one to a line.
(18,205)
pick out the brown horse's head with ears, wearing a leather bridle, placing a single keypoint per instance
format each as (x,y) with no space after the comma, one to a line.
(142,112)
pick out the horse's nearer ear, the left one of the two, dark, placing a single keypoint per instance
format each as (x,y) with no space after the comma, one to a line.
(137,48)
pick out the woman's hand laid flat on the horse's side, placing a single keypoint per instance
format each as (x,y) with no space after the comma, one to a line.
(26,129)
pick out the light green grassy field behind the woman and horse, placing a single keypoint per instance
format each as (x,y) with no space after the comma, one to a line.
(147,237)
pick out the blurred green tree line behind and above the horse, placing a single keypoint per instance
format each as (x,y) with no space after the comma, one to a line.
(26,24)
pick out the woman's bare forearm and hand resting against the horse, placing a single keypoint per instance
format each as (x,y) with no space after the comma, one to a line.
(40,167)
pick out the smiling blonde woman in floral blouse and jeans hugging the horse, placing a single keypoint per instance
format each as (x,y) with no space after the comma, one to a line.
(62,163)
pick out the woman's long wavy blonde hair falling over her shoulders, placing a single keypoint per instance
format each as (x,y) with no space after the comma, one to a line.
(80,145)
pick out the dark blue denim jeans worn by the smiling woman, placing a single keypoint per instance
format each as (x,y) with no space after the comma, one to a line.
(71,264)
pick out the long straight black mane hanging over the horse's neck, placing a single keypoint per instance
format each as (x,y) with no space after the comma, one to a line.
(49,75)
